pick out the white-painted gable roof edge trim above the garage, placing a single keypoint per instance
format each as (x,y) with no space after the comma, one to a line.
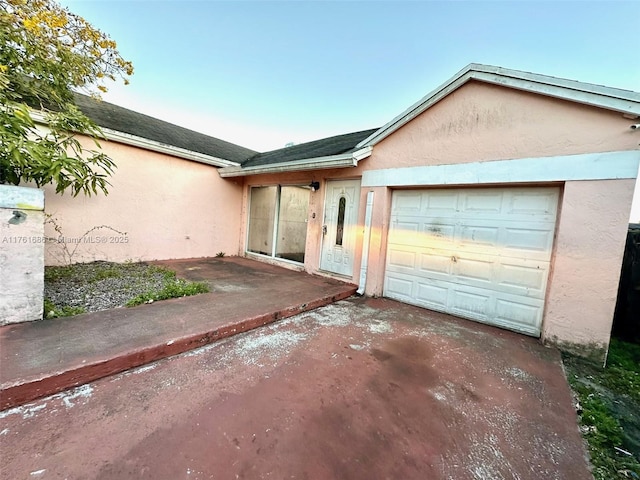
(623,101)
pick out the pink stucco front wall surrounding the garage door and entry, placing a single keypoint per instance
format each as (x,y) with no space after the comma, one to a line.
(482,122)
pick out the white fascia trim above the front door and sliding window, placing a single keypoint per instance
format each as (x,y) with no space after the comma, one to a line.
(344,160)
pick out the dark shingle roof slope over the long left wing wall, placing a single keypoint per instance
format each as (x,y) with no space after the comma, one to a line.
(123,120)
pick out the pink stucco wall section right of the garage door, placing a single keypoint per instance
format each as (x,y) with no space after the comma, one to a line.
(590,240)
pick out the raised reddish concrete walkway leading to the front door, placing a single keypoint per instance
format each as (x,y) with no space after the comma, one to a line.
(41,358)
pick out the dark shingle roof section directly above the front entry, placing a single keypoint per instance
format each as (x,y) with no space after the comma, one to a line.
(317,148)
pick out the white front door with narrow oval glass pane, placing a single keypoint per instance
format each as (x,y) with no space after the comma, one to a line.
(339,228)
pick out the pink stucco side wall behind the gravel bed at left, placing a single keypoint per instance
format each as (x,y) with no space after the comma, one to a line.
(168,207)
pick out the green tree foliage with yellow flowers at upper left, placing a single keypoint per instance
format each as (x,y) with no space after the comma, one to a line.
(47,53)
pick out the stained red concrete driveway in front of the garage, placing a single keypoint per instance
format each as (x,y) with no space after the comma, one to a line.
(361,389)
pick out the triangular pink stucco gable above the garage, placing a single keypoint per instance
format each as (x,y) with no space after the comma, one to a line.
(481,122)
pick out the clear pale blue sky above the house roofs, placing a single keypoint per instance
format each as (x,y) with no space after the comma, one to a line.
(263,74)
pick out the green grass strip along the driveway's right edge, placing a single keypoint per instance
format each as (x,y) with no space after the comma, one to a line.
(609,410)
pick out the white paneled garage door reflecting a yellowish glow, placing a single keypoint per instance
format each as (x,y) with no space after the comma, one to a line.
(482,254)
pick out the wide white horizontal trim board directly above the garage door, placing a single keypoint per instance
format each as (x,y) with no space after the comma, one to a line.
(590,166)
